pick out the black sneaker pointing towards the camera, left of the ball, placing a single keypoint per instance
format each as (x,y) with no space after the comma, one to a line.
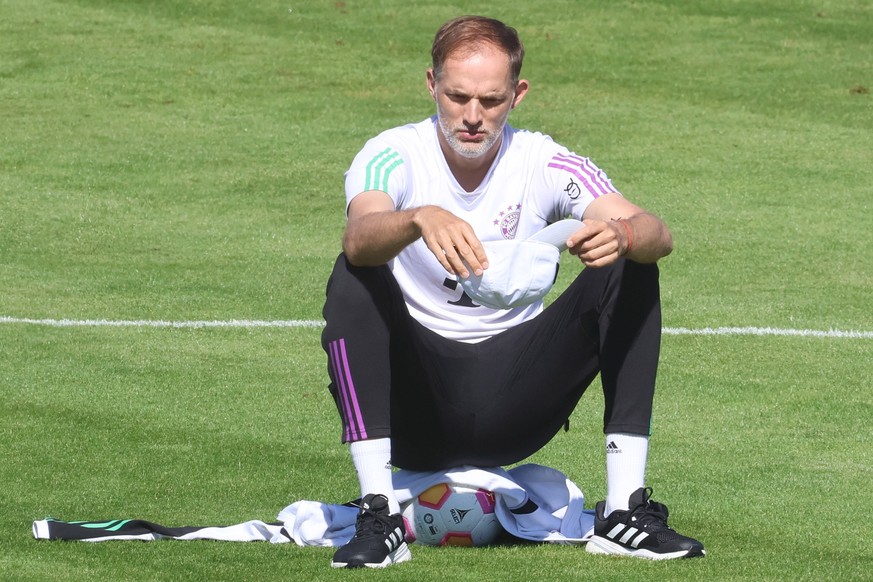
(378,540)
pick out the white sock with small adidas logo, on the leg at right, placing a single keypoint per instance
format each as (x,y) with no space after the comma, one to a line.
(625,468)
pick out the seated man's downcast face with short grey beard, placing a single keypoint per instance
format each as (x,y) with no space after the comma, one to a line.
(474,95)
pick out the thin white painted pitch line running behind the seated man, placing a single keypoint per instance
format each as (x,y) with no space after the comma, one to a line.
(314,323)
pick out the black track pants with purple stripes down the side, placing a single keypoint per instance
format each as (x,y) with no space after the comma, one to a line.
(446,403)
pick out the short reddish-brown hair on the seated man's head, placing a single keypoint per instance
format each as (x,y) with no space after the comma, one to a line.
(466,33)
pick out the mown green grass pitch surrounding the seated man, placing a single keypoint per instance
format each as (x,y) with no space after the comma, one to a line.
(182,161)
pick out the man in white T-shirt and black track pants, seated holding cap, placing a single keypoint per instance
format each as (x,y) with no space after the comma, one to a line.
(427,376)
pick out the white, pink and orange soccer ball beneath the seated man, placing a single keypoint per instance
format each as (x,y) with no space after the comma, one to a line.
(450,515)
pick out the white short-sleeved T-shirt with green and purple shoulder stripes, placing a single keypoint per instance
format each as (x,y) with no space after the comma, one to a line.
(532,183)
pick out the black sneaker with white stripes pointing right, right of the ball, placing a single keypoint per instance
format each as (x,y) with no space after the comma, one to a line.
(641,531)
